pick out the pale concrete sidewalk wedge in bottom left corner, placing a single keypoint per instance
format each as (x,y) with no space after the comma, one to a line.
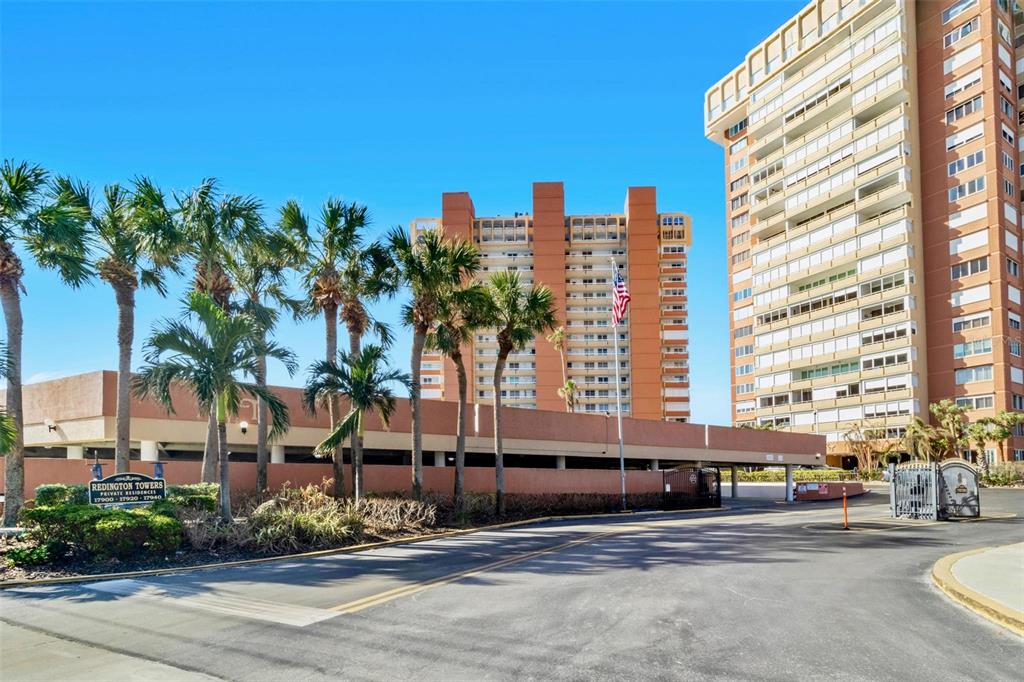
(30,655)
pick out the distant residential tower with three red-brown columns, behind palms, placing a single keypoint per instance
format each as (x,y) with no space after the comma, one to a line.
(571,254)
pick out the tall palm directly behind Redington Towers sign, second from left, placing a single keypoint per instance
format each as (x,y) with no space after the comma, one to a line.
(135,243)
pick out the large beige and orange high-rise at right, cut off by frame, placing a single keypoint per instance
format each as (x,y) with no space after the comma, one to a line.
(874,207)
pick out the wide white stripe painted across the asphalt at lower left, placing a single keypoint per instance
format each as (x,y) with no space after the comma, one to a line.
(217,603)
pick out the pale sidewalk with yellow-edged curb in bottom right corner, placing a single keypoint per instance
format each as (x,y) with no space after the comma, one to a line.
(989,581)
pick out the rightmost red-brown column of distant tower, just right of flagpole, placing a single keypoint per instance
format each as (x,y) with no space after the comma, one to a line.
(645,315)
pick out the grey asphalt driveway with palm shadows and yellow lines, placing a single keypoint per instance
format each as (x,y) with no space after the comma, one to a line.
(763,592)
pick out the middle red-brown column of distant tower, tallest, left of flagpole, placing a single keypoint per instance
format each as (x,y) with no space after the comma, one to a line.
(549,269)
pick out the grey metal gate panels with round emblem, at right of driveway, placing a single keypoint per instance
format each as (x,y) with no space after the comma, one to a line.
(930,491)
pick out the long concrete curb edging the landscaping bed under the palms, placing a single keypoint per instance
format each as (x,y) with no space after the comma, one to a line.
(352,549)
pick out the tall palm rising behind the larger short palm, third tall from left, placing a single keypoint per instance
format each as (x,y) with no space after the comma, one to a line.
(212,225)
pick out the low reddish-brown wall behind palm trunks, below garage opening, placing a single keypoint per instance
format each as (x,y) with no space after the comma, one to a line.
(379,479)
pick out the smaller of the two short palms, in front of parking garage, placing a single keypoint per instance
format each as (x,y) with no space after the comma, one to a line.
(364,379)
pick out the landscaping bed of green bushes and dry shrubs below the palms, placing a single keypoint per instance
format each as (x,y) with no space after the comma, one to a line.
(66,537)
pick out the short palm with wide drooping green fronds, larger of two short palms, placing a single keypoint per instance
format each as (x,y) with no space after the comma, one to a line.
(209,360)
